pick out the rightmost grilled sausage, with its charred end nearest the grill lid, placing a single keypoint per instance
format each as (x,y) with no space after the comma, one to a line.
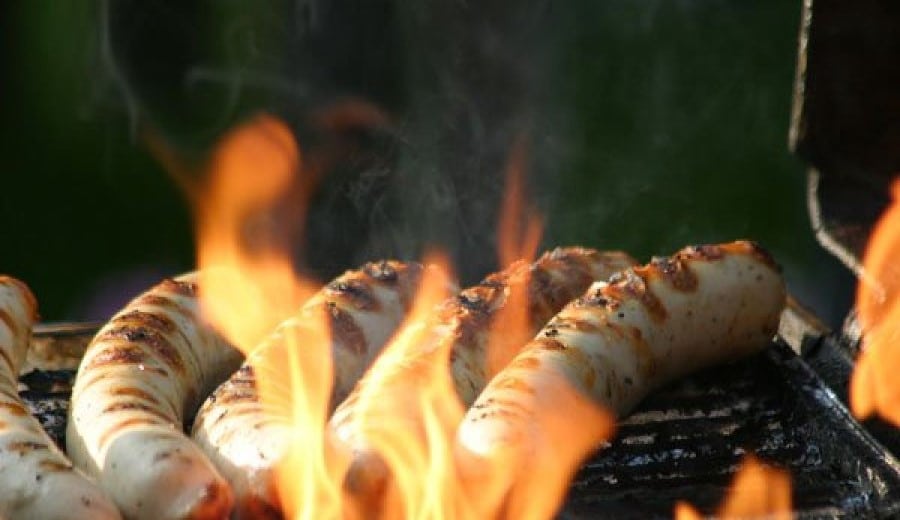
(611,347)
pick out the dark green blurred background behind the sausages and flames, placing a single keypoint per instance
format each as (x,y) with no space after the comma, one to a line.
(648,126)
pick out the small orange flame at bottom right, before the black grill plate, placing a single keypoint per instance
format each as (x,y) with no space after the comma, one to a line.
(758,491)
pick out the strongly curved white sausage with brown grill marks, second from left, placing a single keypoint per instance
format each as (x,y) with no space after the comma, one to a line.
(143,373)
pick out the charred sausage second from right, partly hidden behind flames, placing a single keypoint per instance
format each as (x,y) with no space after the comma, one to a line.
(466,321)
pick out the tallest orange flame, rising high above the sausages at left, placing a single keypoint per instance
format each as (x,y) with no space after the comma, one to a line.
(250,285)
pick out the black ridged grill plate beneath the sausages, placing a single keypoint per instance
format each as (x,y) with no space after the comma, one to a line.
(686,441)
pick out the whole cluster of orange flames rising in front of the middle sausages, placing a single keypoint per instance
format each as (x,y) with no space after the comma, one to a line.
(250,285)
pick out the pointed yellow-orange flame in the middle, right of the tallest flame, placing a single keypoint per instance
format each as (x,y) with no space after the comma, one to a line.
(414,447)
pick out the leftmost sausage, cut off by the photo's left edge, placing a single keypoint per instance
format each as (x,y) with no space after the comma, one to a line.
(36,478)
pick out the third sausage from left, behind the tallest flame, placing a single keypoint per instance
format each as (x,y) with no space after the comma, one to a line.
(364,307)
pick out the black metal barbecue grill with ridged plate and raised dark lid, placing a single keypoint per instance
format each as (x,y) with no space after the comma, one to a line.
(788,405)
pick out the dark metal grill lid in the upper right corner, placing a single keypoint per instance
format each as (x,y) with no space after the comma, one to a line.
(846,116)
